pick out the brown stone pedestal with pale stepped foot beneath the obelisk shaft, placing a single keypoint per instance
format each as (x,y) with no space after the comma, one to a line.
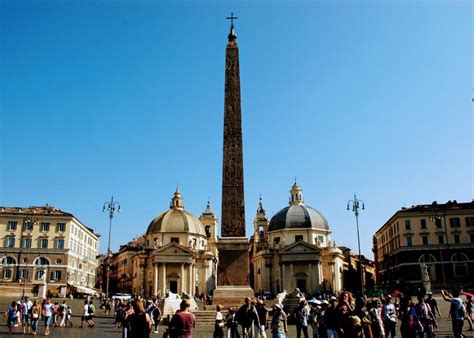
(232,272)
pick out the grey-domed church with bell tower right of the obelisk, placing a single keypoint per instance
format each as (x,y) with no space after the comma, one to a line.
(294,250)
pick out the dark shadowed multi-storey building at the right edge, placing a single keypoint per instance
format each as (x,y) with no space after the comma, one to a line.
(440,236)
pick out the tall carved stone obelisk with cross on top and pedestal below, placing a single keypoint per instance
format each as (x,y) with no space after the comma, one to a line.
(233,267)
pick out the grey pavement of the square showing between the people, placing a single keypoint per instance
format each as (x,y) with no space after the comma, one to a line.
(105,325)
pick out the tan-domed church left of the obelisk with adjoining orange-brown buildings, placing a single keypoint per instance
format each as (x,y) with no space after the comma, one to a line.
(177,253)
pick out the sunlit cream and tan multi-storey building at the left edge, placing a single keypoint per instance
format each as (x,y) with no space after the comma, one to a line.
(45,244)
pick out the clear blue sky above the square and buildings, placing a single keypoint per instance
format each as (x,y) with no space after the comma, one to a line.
(126,98)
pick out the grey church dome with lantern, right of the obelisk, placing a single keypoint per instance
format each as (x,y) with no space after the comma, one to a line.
(298,215)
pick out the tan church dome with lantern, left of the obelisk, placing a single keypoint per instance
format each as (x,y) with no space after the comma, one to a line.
(176,220)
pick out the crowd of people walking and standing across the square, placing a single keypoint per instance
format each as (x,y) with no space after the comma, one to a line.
(327,317)
